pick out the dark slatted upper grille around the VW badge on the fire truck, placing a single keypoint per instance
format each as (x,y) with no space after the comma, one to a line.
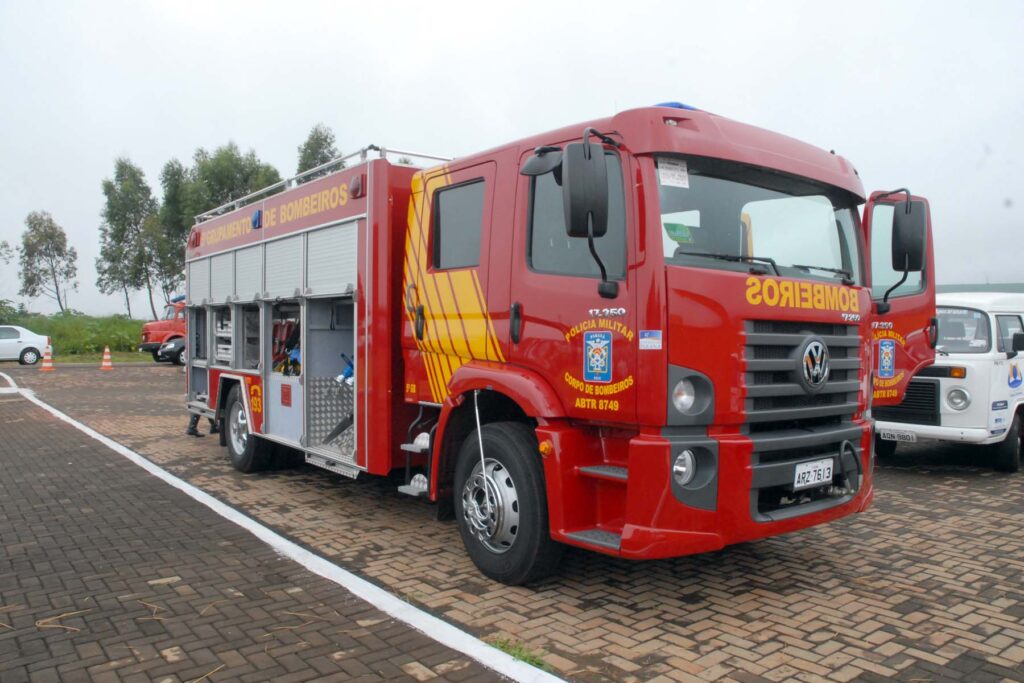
(774,394)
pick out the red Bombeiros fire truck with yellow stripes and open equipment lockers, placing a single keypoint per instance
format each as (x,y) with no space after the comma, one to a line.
(650,335)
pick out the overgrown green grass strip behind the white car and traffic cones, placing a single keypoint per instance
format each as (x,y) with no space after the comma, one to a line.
(79,335)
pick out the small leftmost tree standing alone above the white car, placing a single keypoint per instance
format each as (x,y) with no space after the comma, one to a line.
(49,265)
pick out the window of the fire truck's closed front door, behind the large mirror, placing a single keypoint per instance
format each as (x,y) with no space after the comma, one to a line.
(551,250)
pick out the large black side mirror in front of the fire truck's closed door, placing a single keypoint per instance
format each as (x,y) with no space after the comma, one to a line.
(585,190)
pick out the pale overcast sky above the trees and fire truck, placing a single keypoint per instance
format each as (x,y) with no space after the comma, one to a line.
(927,96)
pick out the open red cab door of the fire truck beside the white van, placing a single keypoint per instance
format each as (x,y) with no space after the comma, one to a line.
(904,338)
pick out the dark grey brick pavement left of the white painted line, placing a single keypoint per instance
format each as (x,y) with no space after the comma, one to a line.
(108,574)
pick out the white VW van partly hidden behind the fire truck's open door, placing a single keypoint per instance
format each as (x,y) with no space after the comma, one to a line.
(974,394)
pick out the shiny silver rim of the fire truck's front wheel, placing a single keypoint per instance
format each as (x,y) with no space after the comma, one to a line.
(491,507)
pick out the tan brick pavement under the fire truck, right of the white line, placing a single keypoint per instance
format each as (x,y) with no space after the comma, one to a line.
(927,586)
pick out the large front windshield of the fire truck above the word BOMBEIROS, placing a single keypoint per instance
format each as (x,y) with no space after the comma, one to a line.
(719,215)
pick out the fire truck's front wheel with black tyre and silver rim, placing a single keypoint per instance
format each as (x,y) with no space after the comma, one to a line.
(514,547)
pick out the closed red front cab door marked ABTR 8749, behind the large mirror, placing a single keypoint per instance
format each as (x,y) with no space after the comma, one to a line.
(583,345)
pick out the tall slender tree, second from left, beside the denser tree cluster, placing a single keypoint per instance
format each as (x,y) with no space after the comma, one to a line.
(130,205)
